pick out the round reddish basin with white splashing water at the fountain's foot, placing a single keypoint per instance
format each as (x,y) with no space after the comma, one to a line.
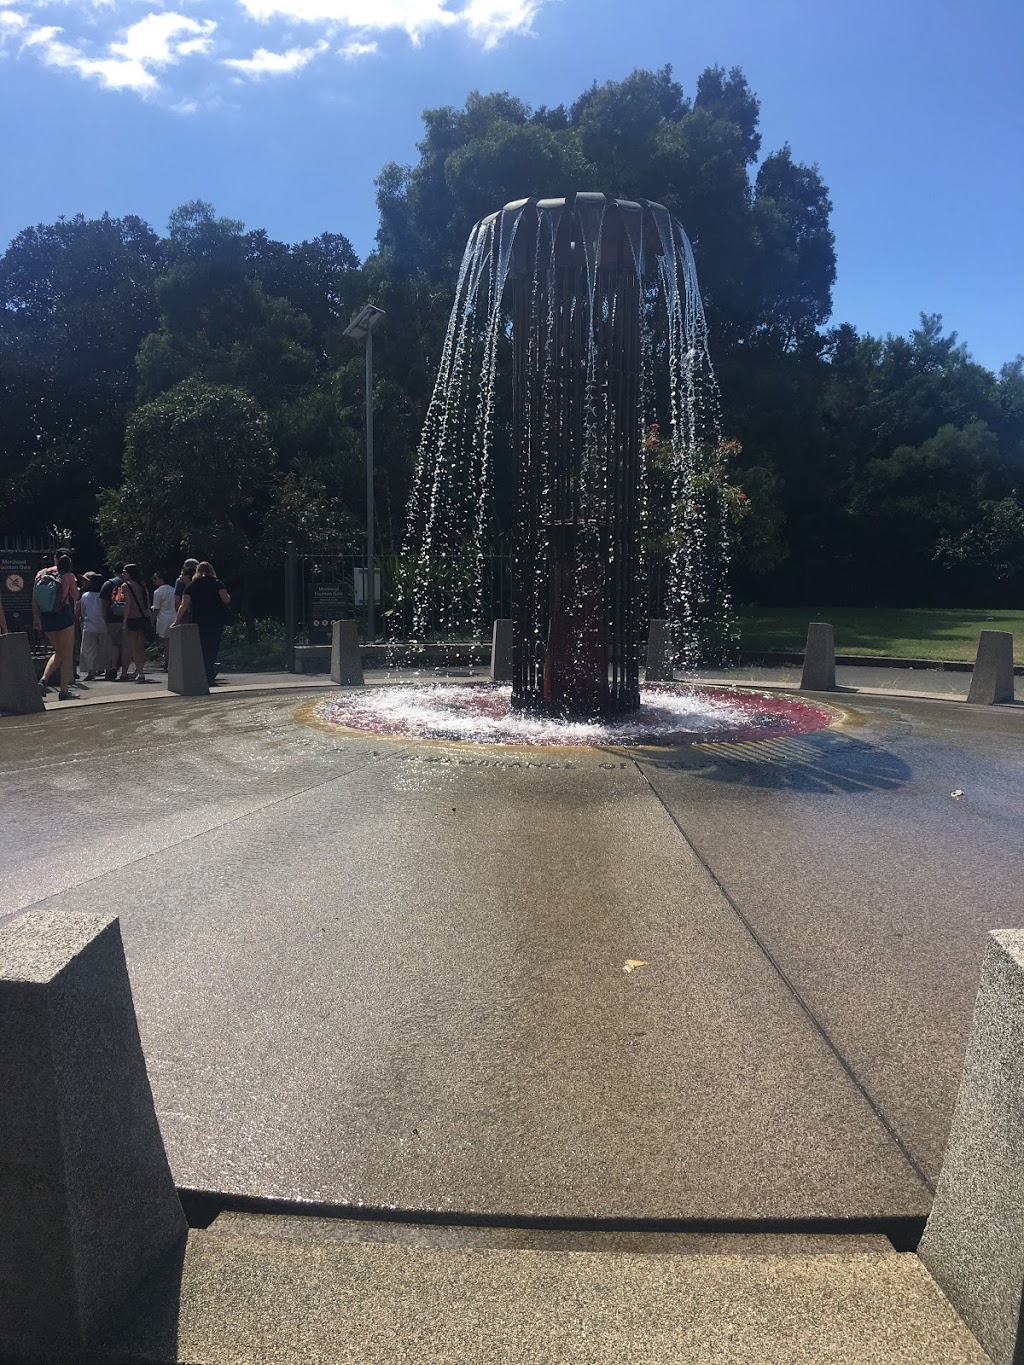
(670,715)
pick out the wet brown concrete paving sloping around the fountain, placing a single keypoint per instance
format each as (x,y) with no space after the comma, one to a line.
(384,974)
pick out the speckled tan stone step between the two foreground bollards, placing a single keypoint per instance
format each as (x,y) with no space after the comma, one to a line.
(271,1292)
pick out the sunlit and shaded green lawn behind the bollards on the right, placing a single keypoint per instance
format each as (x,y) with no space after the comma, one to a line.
(906,633)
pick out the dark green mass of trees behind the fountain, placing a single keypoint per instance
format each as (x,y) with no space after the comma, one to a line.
(197,387)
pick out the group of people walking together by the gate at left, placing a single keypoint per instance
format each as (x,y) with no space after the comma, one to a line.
(100,629)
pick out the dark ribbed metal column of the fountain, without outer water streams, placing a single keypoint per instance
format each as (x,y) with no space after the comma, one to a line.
(575,271)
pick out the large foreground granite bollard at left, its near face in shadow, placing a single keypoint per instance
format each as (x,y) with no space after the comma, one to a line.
(88,1205)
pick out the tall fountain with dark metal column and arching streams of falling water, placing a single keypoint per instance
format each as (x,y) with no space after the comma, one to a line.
(595,306)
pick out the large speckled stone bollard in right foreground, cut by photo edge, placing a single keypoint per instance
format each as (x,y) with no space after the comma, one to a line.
(974,1241)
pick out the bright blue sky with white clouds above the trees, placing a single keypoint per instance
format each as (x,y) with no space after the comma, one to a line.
(282,113)
